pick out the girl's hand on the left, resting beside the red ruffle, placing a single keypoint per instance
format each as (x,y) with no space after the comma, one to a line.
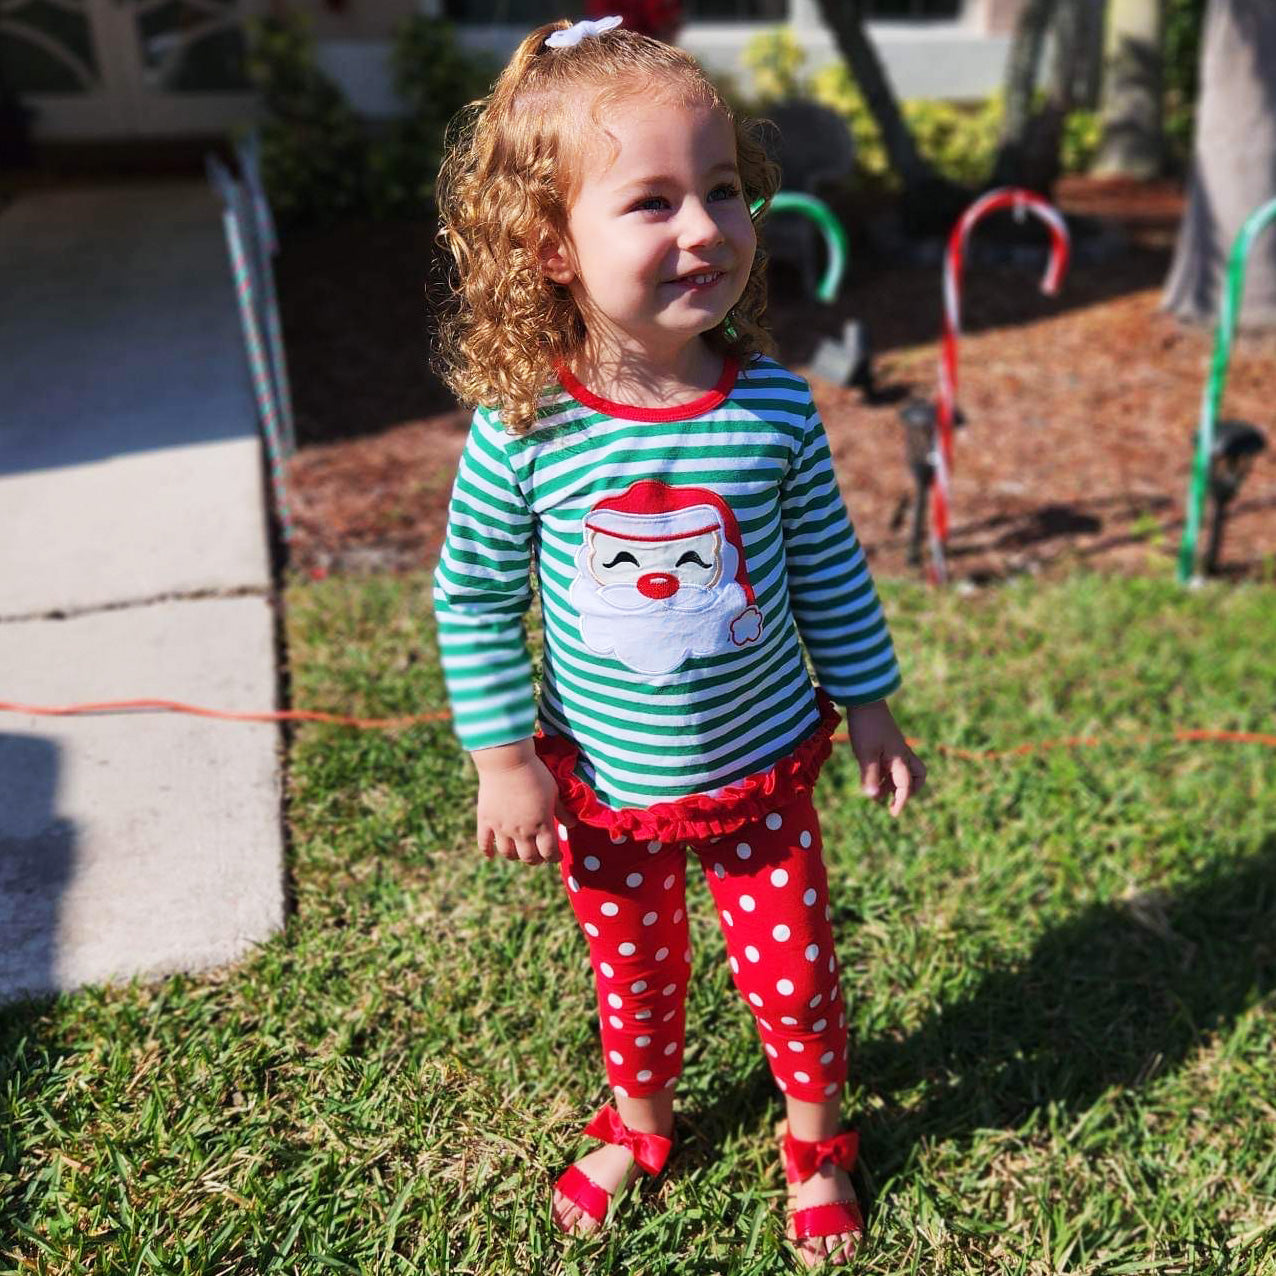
(519,806)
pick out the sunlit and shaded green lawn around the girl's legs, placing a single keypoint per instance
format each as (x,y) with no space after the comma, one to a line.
(1060,974)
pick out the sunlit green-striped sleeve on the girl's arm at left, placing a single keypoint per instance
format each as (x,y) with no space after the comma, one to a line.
(482,595)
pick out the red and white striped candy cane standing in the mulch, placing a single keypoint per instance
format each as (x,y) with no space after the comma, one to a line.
(1007,197)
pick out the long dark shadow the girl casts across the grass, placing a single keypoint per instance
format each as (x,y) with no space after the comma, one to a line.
(1121,995)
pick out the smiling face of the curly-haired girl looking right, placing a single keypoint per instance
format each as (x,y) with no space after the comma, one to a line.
(660,242)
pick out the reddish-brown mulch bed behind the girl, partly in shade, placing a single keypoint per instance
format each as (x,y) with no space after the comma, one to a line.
(1081,408)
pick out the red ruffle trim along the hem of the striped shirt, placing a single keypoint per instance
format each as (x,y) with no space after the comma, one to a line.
(697,815)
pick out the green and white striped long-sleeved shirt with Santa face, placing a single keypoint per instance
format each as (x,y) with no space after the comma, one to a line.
(679,560)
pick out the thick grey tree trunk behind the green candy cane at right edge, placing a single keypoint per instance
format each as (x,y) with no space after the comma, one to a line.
(1233,167)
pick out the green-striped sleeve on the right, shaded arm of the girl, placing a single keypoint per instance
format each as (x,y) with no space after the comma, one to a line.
(831,591)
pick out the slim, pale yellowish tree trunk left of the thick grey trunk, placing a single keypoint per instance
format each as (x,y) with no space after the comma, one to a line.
(1134,142)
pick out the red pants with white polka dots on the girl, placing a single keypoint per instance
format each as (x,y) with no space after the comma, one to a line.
(771,891)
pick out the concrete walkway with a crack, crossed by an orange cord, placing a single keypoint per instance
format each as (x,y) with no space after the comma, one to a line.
(133,563)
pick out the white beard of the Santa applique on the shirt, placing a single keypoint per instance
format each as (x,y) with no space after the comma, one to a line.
(655,636)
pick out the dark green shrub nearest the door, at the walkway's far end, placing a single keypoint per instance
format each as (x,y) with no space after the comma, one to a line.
(315,152)
